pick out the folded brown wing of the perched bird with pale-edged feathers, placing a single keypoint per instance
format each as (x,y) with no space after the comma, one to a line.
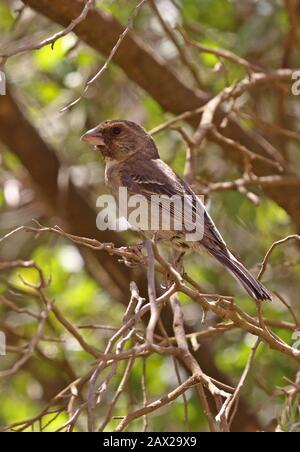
(154,177)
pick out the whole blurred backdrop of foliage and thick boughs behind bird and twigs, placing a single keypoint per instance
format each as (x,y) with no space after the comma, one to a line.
(46,173)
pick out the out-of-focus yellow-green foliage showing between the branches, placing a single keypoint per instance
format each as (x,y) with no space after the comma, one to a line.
(45,81)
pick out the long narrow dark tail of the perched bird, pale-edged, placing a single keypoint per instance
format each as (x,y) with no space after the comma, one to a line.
(254,288)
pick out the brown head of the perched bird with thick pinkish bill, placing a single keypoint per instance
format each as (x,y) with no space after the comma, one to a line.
(119,140)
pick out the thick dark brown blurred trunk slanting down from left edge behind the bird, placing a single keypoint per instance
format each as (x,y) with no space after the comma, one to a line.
(79,218)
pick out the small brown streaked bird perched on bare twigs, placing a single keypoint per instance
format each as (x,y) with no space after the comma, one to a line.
(132,161)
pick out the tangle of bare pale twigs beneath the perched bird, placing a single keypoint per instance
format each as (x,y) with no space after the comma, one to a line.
(142,345)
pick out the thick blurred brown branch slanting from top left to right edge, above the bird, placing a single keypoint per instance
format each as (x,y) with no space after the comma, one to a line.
(146,68)
